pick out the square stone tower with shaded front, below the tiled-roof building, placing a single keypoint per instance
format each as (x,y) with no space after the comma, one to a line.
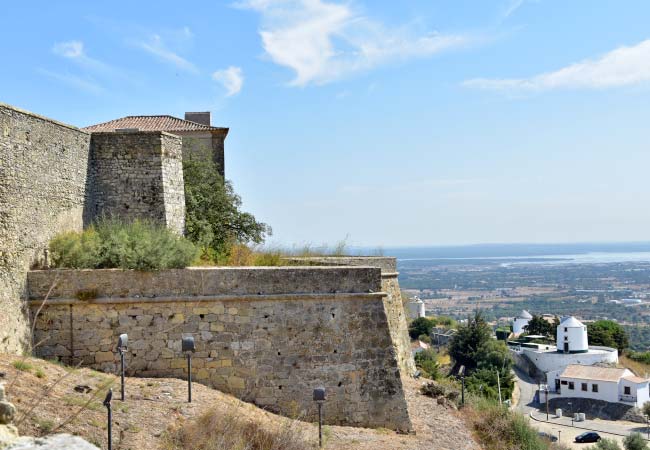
(138,175)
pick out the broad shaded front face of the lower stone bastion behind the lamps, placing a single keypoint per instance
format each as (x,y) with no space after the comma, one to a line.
(267,335)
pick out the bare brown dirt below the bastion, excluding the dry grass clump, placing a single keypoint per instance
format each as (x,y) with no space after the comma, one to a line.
(47,402)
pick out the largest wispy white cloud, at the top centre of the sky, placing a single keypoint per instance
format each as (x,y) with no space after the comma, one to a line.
(323,41)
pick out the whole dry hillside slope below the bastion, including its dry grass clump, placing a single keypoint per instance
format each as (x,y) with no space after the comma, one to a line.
(52,398)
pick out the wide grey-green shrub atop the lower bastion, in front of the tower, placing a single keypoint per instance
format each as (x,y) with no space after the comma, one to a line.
(111,243)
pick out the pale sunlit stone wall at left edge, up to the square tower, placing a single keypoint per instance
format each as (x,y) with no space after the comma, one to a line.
(43,168)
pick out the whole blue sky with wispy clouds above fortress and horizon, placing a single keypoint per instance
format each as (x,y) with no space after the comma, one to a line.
(417,122)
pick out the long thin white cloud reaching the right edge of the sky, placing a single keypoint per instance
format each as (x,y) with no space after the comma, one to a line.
(624,66)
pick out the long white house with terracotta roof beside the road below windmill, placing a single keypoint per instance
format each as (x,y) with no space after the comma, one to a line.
(609,384)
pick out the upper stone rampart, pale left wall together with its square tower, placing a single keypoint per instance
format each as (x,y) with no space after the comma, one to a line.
(55,177)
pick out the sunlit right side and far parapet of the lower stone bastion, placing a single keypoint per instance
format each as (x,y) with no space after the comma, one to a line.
(392,301)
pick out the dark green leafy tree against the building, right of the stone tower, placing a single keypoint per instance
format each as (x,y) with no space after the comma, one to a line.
(214,219)
